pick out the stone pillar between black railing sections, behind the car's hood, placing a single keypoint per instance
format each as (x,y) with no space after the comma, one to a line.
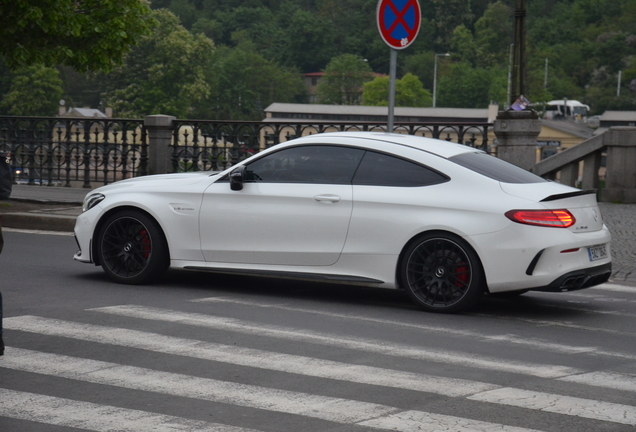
(159,128)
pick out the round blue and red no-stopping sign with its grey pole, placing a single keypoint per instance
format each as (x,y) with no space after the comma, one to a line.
(398,23)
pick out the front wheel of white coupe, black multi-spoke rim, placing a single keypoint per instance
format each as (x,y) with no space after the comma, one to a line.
(131,248)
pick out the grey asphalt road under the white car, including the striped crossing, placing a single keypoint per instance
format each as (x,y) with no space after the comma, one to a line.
(203,352)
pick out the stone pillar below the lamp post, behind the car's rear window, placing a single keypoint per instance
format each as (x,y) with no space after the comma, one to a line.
(517,133)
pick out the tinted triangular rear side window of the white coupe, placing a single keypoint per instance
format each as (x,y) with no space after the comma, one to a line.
(378,169)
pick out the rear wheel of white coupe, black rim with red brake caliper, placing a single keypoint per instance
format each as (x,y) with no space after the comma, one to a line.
(442,273)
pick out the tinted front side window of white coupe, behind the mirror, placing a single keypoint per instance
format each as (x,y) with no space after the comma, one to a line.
(318,164)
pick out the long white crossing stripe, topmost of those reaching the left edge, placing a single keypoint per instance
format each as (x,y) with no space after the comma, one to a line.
(300,365)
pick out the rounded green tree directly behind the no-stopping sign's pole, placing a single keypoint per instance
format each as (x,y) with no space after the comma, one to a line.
(409,92)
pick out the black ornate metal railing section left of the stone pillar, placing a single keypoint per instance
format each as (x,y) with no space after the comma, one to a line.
(74,152)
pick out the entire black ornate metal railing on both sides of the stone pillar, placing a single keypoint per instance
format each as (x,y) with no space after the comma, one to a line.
(80,152)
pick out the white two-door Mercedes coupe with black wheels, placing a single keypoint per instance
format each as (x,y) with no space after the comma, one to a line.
(443,221)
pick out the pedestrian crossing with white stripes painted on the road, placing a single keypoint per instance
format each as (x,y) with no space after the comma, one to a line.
(486,401)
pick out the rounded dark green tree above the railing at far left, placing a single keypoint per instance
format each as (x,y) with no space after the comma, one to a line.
(34,91)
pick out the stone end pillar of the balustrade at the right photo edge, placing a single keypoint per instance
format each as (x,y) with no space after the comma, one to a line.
(620,180)
